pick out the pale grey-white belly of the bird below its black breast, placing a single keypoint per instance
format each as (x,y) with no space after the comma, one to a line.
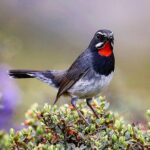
(85,88)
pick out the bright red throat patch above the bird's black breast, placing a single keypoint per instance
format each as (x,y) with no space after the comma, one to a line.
(106,50)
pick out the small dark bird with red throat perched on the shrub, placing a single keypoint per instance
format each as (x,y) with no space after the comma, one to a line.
(88,75)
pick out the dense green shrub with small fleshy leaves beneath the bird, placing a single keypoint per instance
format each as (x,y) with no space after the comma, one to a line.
(53,128)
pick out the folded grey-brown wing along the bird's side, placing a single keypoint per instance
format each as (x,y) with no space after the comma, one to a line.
(77,70)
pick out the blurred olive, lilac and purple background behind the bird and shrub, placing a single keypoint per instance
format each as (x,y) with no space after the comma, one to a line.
(43,35)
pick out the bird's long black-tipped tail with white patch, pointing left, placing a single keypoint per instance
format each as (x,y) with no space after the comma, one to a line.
(52,78)
